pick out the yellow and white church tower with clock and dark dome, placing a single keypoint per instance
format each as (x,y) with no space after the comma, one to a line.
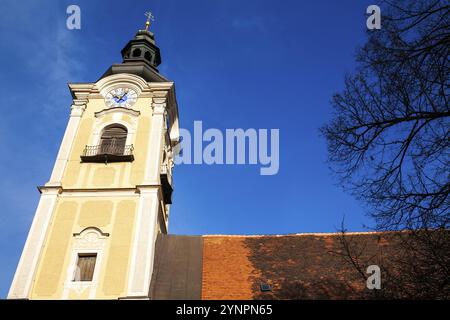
(93,234)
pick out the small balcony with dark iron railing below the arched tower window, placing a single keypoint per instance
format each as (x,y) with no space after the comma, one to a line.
(108,153)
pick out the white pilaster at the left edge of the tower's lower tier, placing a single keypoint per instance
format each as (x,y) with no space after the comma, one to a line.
(26,270)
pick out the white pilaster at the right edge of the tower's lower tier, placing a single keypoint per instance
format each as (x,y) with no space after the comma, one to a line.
(143,250)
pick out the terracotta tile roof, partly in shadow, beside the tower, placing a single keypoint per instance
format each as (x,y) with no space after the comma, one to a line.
(299,266)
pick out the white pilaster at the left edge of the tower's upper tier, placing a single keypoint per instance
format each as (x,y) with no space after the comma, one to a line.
(77,110)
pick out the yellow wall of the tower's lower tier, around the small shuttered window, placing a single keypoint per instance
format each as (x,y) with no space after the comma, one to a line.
(73,214)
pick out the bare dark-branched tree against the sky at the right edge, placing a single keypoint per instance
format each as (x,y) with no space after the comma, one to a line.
(389,140)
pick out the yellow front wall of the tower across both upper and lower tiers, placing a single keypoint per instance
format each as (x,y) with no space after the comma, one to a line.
(114,214)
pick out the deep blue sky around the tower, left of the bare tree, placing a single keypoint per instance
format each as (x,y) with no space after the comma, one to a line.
(236,64)
